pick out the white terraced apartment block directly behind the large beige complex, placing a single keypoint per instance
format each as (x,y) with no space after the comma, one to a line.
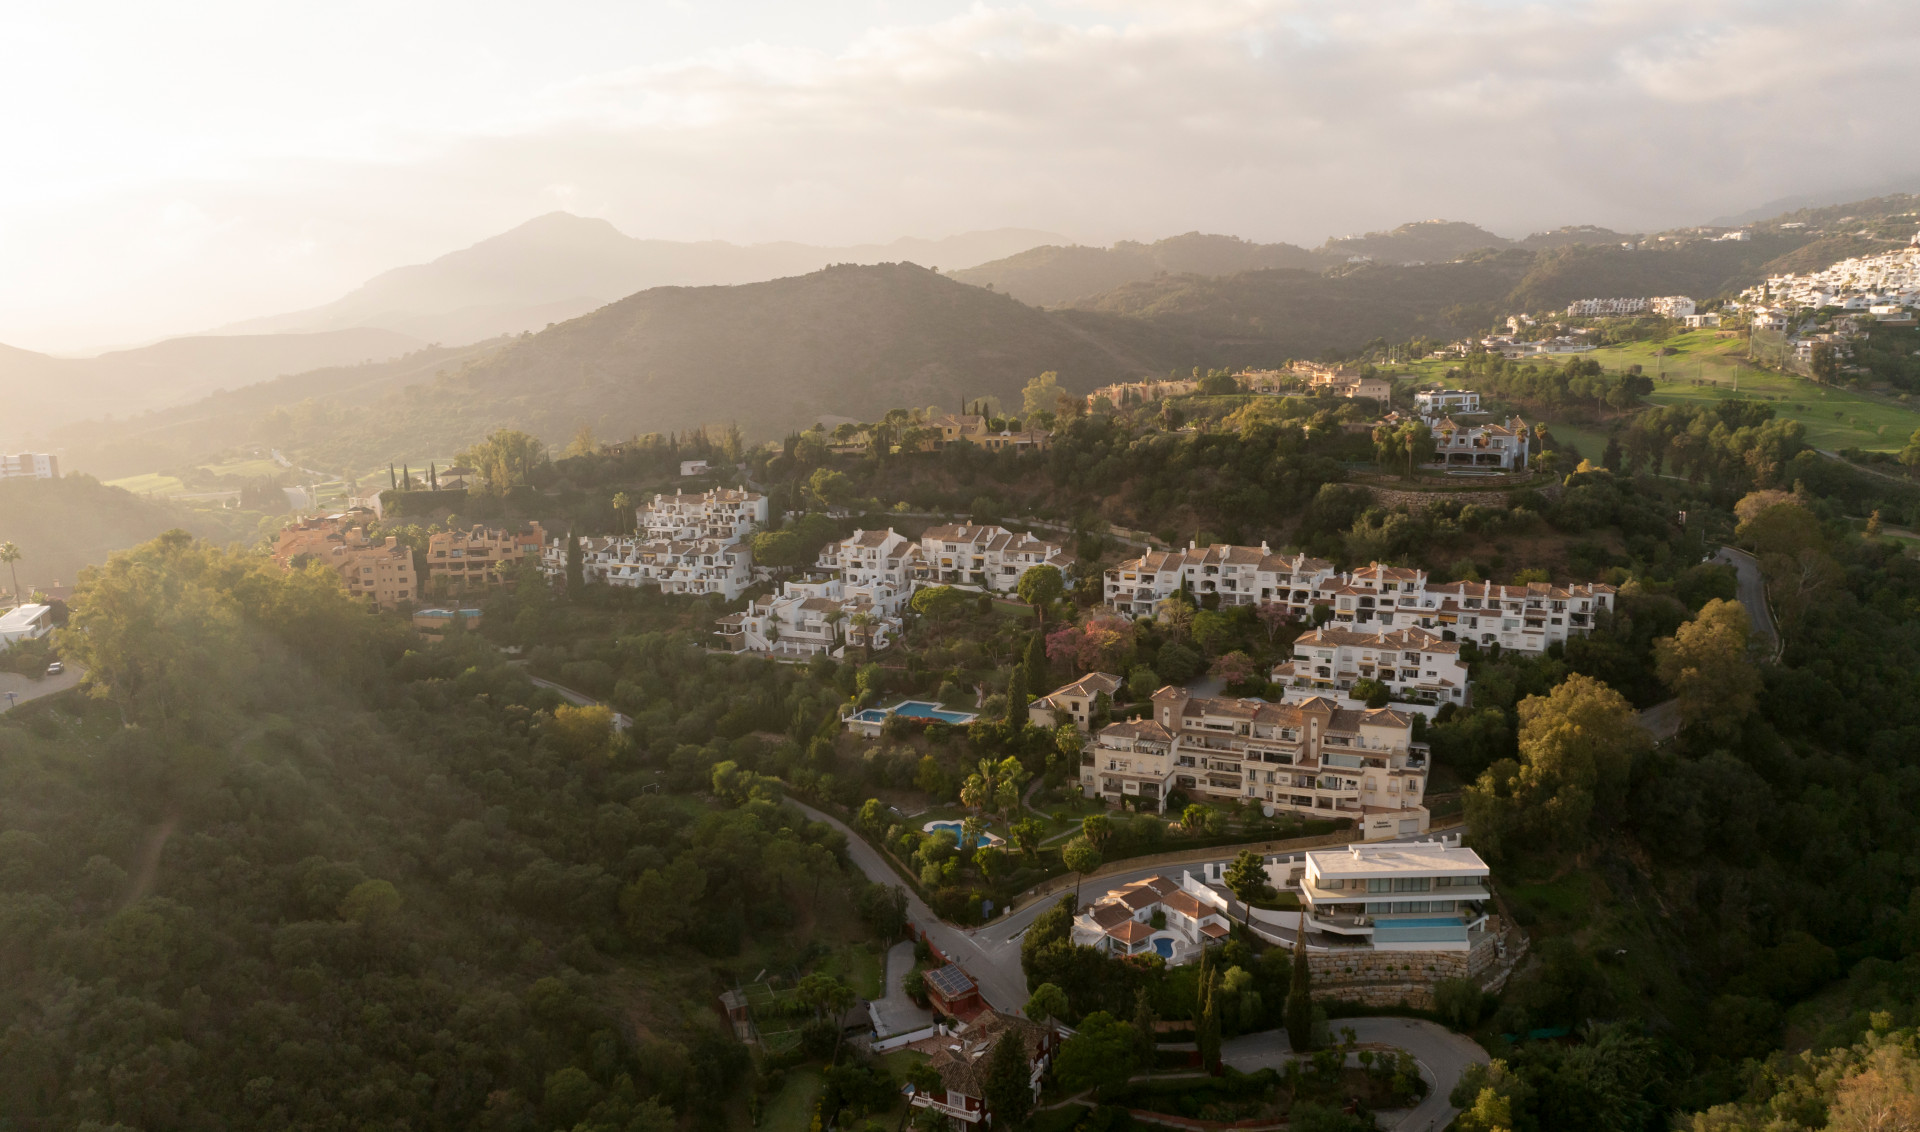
(1418,667)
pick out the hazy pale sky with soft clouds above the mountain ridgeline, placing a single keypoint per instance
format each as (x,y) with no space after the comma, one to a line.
(176,168)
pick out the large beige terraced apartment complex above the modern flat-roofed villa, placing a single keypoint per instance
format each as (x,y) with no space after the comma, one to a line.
(1314,759)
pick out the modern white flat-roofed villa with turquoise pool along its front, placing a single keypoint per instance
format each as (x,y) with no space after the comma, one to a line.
(1424,897)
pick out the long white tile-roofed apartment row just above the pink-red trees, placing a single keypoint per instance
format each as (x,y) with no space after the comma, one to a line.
(1237,575)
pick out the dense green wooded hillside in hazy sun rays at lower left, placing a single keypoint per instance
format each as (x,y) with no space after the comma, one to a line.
(295,870)
